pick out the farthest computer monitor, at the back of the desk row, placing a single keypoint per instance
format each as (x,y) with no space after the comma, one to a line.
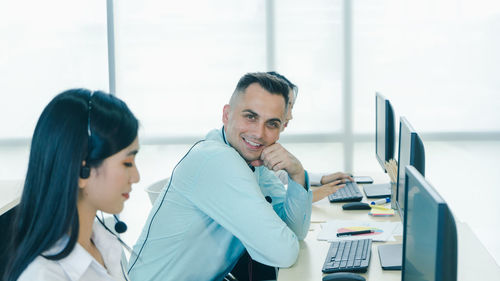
(385,135)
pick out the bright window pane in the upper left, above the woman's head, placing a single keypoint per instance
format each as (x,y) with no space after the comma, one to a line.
(47,48)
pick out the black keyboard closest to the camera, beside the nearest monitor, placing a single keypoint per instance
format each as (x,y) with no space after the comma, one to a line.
(348,255)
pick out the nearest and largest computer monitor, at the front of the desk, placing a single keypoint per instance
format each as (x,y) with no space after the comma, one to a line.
(430,233)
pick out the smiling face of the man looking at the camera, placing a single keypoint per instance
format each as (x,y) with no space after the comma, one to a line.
(253,122)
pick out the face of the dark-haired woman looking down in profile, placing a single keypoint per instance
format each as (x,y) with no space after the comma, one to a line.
(110,184)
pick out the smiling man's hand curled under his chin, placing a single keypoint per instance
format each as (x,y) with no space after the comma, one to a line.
(275,157)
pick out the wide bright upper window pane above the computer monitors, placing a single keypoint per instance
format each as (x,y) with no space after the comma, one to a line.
(436,61)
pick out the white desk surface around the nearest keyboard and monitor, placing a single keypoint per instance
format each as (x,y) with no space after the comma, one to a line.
(473,258)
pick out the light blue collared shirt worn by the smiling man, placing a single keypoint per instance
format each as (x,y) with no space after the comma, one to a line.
(214,208)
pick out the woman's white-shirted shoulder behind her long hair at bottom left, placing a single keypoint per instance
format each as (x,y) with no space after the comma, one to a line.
(43,269)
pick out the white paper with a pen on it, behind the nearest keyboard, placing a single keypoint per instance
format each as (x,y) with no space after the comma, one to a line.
(383,231)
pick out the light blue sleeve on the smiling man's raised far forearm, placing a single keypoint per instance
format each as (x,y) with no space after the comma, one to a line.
(292,205)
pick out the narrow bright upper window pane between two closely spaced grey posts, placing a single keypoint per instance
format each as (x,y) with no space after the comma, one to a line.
(308,52)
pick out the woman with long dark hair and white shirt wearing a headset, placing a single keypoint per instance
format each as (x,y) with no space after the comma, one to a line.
(82,160)
